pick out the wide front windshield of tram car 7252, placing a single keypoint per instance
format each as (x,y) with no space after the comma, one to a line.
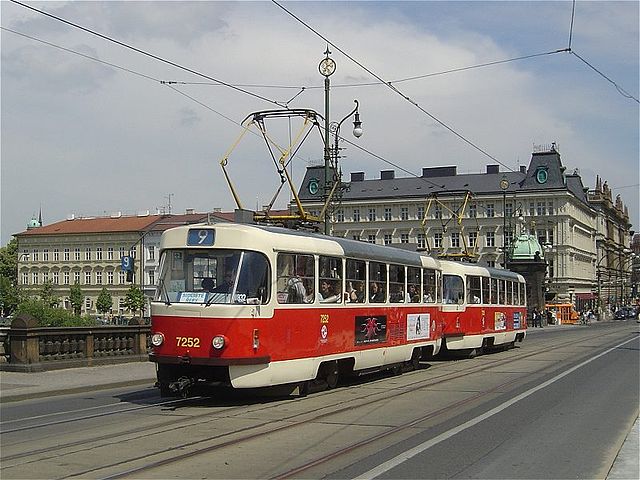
(213,277)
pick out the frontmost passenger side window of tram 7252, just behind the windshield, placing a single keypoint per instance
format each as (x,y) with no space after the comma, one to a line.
(295,278)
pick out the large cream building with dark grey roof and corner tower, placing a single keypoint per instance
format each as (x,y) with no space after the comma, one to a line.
(477,216)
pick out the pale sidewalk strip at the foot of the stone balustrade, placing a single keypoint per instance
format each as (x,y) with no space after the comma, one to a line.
(15,386)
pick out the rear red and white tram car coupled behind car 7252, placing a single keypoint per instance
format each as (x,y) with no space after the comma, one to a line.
(481,307)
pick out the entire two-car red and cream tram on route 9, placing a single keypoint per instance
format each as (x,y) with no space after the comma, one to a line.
(251,306)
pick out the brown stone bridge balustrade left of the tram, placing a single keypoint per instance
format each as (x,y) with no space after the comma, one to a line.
(32,348)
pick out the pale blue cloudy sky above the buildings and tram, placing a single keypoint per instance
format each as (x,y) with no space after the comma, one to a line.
(90,127)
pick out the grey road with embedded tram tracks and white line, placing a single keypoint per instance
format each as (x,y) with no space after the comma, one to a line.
(558,406)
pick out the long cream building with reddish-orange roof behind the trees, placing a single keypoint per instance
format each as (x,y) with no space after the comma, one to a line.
(89,252)
